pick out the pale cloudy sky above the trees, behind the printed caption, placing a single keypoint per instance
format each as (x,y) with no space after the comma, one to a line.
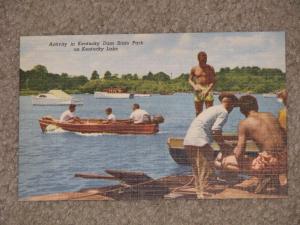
(172,53)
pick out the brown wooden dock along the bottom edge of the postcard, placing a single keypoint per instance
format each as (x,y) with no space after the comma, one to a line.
(138,185)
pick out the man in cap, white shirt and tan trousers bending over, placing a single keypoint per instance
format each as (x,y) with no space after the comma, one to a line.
(204,128)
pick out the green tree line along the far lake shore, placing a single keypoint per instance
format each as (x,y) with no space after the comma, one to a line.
(238,79)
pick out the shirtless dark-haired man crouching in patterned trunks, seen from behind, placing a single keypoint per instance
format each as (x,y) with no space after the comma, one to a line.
(264,129)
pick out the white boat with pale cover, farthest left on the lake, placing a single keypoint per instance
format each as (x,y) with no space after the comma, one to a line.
(55,97)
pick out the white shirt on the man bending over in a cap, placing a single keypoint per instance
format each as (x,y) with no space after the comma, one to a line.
(200,130)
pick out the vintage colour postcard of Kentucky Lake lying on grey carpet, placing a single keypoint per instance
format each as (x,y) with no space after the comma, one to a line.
(153,116)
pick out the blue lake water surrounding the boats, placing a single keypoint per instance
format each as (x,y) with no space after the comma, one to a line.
(48,162)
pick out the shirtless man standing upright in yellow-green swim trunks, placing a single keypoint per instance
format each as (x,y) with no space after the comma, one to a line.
(202,79)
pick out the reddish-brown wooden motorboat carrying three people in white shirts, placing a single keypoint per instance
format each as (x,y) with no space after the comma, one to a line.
(99,126)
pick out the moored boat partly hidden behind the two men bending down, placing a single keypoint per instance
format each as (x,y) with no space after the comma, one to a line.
(178,153)
